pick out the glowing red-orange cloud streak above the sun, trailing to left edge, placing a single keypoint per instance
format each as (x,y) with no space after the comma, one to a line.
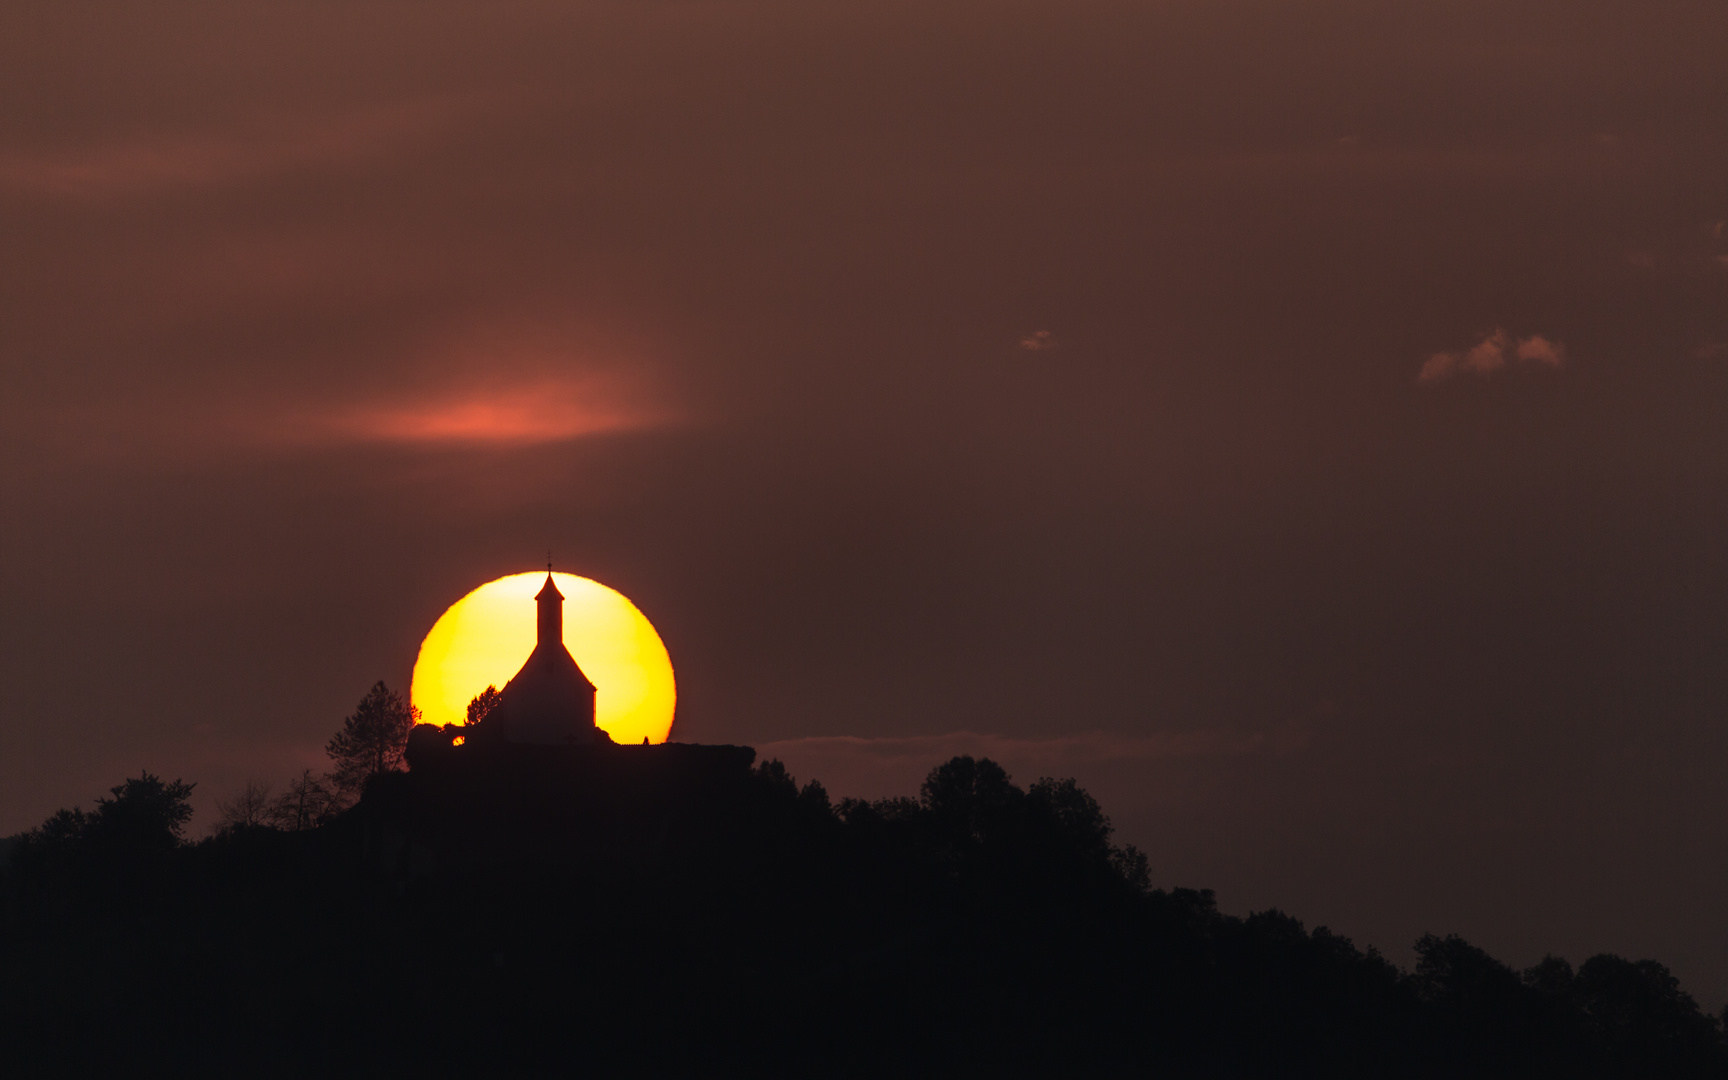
(511,381)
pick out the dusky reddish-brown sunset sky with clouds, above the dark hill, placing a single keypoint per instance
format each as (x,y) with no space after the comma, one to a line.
(1299,422)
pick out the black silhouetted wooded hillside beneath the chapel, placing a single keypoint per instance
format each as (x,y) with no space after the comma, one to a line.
(685,913)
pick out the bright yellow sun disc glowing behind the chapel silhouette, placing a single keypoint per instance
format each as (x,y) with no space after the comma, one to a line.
(485,638)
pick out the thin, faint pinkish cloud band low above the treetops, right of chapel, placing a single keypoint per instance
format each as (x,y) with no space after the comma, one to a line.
(875,768)
